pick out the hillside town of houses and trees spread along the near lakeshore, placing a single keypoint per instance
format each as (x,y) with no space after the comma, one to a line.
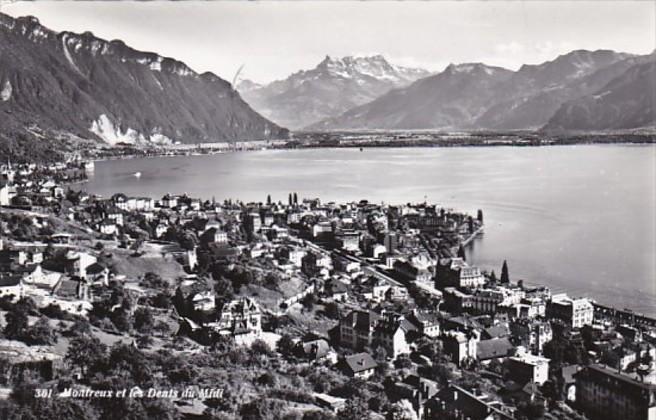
(294,308)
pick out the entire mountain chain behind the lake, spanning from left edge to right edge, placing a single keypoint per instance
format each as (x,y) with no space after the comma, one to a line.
(60,86)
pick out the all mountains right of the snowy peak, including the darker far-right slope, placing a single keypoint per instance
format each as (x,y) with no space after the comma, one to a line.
(557,94)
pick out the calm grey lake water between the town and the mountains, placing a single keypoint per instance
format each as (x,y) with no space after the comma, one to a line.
(577,218)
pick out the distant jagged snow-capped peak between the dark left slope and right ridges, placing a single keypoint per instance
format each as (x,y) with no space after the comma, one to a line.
(332,87)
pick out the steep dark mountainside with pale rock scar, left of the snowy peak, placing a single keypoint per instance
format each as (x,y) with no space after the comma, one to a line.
(107,91)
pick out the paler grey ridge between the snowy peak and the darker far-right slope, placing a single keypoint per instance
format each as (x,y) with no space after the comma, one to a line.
(476,96)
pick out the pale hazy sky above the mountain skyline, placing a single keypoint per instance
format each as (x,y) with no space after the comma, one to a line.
(274,39)
